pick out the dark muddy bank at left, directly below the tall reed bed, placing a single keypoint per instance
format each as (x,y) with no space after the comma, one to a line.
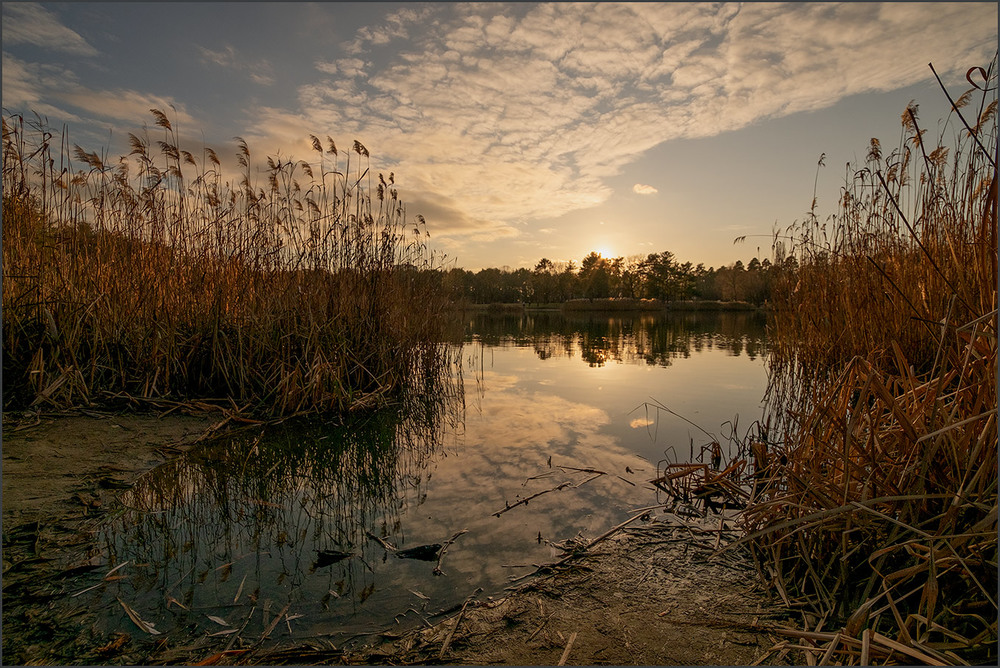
(61,474)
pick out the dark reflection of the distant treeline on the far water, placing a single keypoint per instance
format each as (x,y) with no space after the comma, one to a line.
(597,339)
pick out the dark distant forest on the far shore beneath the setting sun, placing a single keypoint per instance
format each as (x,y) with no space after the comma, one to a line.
(654,276)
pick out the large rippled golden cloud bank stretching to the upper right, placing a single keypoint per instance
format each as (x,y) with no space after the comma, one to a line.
(519,113)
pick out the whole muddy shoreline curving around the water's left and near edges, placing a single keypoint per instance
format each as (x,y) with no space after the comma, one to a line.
(64,471)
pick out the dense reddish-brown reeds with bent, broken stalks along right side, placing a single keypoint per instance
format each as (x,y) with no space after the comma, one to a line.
(877,505)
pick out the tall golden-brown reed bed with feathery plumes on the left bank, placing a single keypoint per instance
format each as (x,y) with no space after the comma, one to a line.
(294,288)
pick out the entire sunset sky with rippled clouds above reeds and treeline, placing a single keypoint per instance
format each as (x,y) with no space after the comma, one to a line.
(524,130)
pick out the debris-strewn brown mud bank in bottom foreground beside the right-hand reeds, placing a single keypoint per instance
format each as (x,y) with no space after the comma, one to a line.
(650,596)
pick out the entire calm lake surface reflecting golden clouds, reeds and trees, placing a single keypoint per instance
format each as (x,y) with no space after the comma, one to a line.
(246,530)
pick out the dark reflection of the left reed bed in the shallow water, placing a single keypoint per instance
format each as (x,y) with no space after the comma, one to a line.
(255,524)
